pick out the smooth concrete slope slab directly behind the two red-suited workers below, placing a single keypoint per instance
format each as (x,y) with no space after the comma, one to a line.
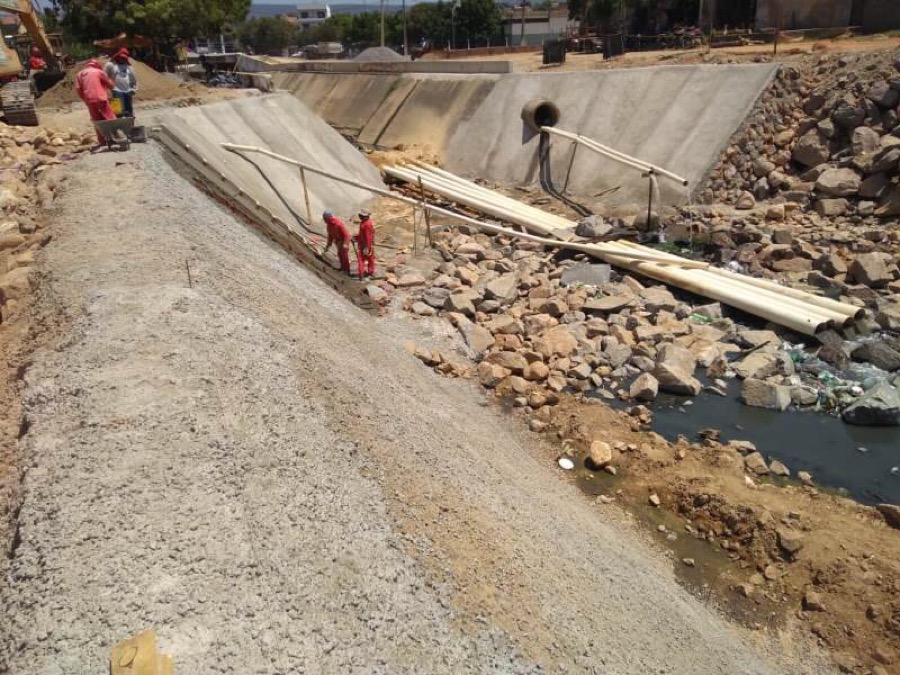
(282,124)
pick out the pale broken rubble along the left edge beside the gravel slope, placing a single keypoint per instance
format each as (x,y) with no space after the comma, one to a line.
(25,155)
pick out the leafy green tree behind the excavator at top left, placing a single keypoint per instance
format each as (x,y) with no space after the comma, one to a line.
(90,20)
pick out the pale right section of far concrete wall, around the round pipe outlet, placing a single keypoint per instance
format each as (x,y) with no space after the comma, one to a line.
(677,117)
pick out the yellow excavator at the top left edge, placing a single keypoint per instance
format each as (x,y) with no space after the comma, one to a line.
(17,95)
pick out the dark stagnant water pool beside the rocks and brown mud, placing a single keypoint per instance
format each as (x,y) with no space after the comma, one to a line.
(856,459)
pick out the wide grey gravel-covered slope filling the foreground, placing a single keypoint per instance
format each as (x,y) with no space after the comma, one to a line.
(258,470)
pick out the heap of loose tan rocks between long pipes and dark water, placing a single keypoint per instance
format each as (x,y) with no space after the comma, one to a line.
(536,329)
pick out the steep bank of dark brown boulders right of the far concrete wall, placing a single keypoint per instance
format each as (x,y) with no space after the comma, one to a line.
(826,134)
